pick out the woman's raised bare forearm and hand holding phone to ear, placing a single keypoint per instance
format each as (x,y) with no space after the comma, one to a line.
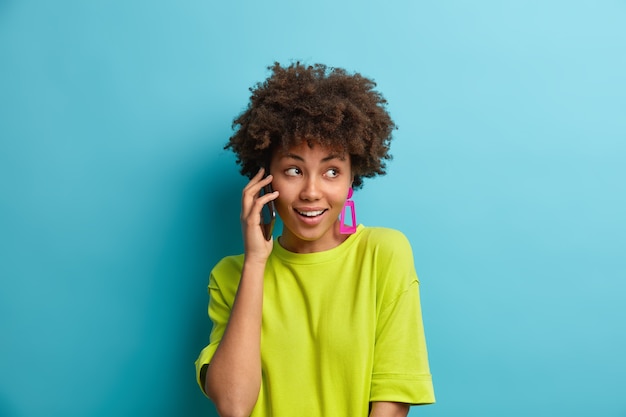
(233,378)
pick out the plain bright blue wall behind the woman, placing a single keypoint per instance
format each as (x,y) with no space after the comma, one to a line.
(117,198)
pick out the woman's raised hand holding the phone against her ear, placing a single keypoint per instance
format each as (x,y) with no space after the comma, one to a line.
(255,246)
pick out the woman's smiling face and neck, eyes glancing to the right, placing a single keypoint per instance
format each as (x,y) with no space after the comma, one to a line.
(313,186)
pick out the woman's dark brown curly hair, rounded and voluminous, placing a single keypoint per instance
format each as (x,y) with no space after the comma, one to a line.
(318,104)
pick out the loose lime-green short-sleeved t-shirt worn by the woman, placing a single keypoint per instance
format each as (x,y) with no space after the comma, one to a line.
(340,328)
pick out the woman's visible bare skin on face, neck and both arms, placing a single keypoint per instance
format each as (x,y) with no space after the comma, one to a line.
(305,179)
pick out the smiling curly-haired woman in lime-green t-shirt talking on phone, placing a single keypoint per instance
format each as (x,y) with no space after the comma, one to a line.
(320,322)
